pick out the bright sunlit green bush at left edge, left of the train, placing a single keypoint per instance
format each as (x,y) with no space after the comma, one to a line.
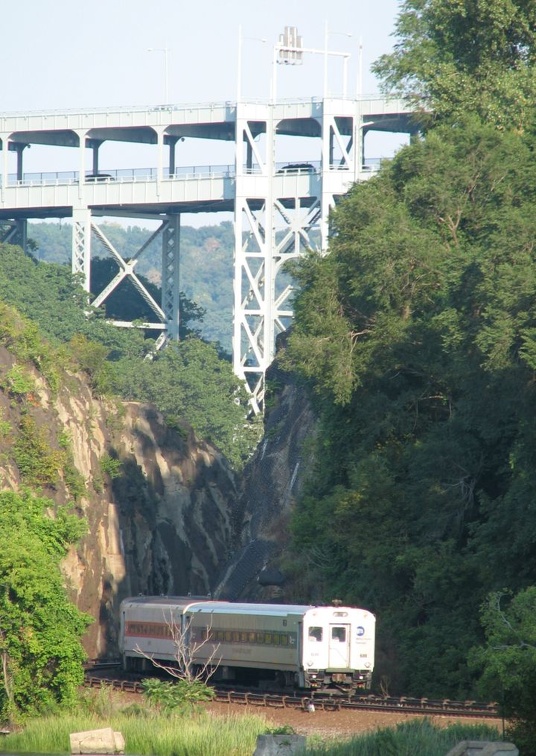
(40,629)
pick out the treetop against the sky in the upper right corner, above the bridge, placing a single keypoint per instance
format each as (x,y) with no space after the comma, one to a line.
(472,56)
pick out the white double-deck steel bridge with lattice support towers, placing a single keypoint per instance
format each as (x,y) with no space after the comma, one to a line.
(280,208)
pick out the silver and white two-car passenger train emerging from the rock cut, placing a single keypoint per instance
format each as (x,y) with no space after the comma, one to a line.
(303,647)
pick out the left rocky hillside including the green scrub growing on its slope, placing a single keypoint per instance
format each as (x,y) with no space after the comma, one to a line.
(155,503)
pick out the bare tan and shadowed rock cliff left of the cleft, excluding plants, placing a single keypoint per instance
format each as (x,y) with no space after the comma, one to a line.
(158,502)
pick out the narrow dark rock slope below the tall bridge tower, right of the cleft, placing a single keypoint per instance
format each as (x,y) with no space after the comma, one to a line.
(272,481)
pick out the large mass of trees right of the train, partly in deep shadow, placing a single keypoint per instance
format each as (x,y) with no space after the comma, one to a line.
(416,335)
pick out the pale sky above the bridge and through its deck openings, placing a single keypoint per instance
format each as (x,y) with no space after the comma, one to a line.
(69,54)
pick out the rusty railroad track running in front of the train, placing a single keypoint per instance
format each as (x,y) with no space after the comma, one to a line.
(445,707)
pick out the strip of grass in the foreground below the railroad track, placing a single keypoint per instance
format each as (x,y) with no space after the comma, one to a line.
(196,732)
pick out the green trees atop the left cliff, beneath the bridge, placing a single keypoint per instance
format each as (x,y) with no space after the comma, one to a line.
(189,382)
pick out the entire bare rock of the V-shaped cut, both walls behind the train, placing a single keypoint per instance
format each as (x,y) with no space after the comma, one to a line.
(162,508)
